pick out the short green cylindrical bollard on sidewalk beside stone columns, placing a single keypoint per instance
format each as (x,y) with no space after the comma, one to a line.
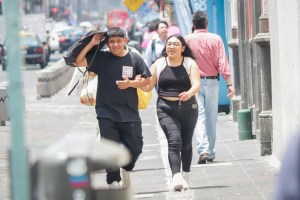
(244,124)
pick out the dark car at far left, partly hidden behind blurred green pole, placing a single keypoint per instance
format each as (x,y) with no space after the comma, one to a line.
(33,50)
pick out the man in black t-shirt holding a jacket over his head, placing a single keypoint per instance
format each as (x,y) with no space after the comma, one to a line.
(117,100)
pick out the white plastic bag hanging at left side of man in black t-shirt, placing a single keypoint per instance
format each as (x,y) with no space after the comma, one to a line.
(89,91)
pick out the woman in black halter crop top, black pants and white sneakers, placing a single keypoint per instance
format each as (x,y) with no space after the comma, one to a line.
(178,79)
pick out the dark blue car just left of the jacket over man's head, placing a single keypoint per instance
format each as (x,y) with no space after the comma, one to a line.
(69,37)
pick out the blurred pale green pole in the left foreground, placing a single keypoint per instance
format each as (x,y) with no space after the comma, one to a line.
(19,170)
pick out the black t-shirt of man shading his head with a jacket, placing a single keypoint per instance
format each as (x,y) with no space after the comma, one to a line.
(120,105)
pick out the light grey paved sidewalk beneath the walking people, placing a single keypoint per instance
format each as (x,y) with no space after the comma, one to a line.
(239,172)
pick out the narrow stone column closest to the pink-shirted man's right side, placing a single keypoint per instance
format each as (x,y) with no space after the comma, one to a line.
(234,44)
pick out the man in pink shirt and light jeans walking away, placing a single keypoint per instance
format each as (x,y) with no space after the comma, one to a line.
(211,58)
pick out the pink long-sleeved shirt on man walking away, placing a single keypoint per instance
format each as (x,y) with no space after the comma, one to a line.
(209,51)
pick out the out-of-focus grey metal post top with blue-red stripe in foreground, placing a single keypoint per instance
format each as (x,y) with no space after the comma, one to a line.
(63,172)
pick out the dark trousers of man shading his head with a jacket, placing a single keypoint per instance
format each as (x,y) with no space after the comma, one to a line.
(130,134)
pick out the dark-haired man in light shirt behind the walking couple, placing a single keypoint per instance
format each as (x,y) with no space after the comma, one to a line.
(155,47)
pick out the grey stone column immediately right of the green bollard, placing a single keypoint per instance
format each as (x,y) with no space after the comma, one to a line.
(265,136)
